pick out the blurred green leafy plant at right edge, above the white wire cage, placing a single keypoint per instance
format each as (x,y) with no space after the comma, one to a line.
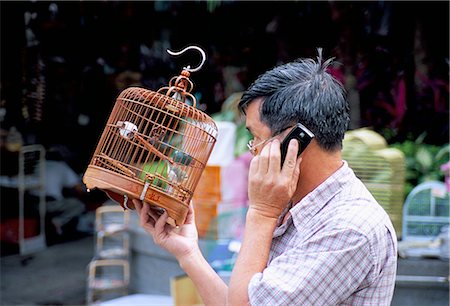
(423,161)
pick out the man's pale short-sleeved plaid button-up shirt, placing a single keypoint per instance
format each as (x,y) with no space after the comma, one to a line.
(338,247)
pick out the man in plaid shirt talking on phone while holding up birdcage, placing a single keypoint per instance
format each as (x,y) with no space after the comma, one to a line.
(314,235)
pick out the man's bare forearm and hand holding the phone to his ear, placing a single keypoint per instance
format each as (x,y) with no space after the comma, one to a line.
(270,190)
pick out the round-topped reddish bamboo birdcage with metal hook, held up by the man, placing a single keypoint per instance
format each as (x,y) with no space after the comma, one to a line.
(154,147)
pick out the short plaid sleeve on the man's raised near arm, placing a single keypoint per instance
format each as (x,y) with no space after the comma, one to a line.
(325,270)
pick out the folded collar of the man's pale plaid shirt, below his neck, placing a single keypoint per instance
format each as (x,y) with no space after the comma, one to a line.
(313,202)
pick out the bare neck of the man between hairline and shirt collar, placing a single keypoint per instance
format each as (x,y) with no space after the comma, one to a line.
(317,165)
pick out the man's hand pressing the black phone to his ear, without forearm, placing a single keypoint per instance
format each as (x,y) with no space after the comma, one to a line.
(270,186)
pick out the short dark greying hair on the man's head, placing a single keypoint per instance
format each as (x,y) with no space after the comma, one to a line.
(302,91)
